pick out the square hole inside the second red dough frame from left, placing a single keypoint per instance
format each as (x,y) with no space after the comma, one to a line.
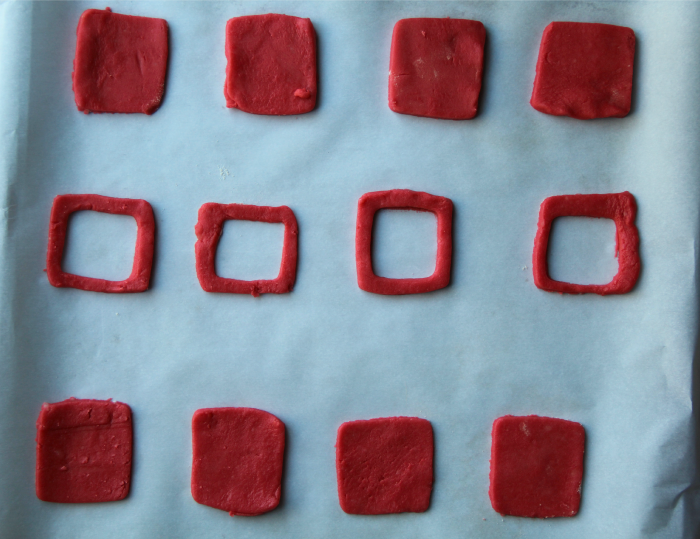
(250,250)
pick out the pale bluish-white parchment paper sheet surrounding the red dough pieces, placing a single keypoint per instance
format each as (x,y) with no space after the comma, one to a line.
(490,344)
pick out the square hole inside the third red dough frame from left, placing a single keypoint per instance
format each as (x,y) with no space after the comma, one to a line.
(404,244)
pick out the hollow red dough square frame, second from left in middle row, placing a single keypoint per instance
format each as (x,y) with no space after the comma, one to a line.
(209,229)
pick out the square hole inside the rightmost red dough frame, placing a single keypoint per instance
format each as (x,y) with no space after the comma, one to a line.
(582,250)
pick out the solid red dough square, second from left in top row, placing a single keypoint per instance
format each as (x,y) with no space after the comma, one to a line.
(271,64)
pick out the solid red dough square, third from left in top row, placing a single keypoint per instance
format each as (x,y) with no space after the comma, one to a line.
(436,67)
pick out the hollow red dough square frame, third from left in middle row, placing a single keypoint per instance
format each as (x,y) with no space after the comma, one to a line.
(402,199)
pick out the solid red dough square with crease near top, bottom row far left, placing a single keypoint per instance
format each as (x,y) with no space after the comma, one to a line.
(83,451)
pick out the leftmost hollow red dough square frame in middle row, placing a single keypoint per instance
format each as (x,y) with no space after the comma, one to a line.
(65,205)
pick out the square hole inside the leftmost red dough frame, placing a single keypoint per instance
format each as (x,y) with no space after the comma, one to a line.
(100,245)
